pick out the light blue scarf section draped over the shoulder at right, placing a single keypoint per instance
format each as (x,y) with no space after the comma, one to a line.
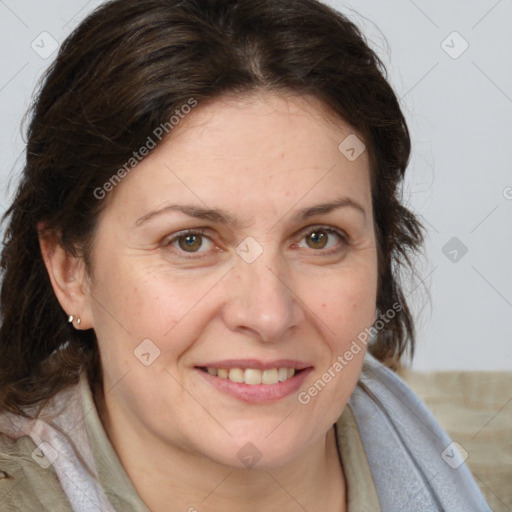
(413,462)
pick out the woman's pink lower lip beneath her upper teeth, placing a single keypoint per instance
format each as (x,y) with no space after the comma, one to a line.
(257,393)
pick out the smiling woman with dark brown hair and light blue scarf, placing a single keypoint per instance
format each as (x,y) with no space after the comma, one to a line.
(200,274)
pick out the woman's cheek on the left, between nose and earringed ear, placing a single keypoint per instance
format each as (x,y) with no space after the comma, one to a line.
(136,300)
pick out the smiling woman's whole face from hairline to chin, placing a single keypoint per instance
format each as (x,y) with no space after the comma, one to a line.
(217,255)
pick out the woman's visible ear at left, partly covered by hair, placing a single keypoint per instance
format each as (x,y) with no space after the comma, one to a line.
(69,278)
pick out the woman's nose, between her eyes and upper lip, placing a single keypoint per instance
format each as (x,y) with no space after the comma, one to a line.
(261,299)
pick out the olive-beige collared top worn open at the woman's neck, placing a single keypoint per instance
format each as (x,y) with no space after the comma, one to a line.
(25,486)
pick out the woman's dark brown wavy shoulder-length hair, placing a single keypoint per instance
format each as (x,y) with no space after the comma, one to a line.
(123,72)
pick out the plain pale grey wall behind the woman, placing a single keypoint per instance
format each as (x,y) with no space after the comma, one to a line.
(451,65)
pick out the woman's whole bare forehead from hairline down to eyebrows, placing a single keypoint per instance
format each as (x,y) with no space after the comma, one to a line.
(254,152)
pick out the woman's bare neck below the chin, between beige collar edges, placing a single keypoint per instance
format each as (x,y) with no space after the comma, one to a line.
(312,481)
